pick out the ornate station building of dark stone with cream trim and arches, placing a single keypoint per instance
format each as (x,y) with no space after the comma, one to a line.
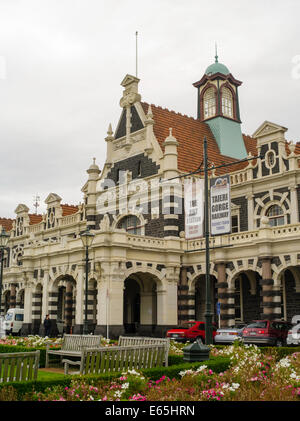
(144,276)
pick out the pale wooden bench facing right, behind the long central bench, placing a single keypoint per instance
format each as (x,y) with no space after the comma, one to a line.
(72,345)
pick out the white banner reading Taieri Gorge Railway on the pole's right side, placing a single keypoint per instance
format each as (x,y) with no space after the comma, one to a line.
(220,212)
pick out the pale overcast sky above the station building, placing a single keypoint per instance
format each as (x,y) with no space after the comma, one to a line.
(62,62)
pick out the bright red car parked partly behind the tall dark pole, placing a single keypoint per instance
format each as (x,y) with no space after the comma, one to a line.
(189,332)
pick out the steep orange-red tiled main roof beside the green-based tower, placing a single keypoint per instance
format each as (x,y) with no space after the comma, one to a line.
(190,133)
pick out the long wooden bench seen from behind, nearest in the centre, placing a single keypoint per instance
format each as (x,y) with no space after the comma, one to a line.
(118,359)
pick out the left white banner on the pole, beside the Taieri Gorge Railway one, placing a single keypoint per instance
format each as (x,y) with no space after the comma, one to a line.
(193,208)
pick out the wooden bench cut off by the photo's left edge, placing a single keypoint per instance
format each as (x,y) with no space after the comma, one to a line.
(19,366)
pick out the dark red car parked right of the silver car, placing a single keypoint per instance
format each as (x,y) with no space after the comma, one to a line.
(266,332)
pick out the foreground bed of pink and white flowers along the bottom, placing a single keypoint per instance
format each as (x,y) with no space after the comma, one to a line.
(249,374)
